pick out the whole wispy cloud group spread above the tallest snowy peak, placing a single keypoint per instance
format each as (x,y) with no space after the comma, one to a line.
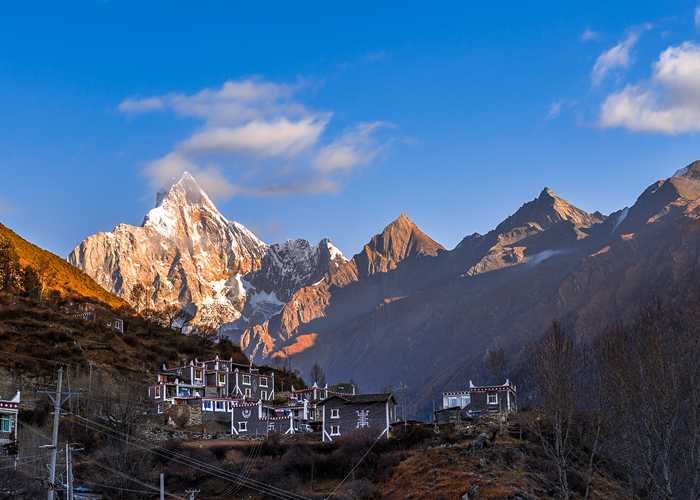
(257,138)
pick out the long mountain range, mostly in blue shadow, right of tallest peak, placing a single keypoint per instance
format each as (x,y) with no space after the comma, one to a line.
(404,309)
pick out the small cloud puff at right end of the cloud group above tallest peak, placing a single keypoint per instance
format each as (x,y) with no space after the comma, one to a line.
(357,146)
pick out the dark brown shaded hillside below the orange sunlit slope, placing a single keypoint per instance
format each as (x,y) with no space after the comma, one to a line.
(38,336)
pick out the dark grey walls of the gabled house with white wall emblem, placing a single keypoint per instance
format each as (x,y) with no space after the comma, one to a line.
(349,421)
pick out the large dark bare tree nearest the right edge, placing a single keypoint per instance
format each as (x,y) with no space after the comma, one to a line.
(651,395)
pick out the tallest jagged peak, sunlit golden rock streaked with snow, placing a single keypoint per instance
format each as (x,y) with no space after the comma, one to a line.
(186,254)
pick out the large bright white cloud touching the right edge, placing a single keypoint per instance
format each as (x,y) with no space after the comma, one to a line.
(668,103)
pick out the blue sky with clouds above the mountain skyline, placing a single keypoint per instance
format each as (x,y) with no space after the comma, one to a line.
(330,120)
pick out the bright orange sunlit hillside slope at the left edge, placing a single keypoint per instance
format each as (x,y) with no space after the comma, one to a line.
(57,274)
